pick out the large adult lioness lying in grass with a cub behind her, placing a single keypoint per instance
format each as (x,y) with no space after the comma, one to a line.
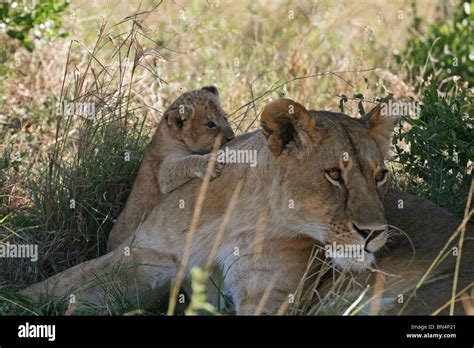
(319,175)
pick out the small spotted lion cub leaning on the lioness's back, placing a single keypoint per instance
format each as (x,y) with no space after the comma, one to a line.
(178,152)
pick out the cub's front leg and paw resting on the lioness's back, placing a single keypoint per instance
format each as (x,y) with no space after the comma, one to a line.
(177,171)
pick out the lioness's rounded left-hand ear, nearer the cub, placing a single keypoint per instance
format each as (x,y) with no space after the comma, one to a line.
(286,123)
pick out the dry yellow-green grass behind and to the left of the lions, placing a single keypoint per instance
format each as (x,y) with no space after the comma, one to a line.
(131,59)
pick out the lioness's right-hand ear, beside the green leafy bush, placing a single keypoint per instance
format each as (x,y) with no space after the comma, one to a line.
(380,125)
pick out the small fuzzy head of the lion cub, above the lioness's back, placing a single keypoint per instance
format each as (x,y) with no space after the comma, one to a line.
(197,119)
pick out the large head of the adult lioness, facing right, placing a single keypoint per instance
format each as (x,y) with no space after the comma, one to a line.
(331,177)
